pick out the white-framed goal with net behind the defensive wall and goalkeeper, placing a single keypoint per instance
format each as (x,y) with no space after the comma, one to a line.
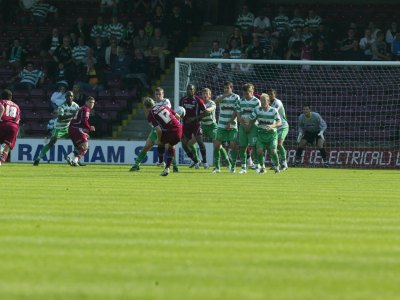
(360,101)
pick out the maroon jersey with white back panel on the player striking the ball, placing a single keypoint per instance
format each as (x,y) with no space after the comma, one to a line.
(164,117)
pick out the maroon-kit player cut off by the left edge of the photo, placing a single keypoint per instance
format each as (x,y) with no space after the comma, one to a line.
(10,116)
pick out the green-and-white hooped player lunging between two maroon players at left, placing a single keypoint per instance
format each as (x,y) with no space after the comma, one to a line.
(65,113)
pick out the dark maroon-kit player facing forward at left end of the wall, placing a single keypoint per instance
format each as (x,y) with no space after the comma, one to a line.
(192,133)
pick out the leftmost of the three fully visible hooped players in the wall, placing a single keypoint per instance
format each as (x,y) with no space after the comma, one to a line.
(227,131)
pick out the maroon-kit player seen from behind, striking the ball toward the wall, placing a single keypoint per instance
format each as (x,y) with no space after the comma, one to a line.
(168,128)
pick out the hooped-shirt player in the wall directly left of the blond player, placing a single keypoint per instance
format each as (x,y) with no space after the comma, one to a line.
(247,130)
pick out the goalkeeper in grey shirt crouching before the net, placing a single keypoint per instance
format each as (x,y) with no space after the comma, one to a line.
(311,130)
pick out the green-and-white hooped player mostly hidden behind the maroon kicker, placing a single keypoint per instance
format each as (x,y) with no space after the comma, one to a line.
(152,138)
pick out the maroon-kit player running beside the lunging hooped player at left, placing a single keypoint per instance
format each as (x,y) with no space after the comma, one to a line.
(78,132)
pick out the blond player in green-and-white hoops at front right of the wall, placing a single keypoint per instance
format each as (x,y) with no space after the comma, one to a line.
(269,120)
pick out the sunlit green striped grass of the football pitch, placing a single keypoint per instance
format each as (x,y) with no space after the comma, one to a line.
(101,232)
